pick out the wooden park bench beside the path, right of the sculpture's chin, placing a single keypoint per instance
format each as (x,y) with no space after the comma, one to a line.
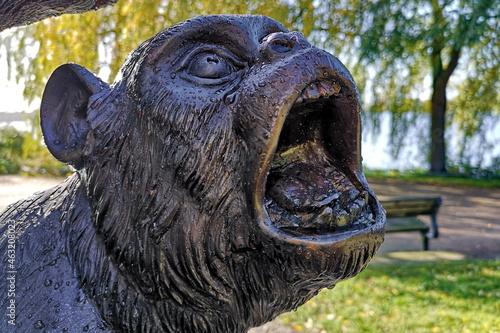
(403,212)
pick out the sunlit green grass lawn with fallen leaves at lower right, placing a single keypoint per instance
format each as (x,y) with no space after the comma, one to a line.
(447,297)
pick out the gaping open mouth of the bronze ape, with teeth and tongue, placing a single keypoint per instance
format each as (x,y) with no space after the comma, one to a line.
(312,188)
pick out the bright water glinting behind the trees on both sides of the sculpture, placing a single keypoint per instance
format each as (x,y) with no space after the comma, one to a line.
(377,149)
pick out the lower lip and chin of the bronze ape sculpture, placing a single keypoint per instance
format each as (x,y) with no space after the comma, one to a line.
(328,258)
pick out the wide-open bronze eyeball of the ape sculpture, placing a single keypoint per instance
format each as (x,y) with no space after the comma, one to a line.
(210,66)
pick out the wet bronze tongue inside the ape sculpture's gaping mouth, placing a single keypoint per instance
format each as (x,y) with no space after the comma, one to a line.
(313,197)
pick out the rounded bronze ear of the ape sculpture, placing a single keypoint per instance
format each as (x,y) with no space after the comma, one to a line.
(63,112)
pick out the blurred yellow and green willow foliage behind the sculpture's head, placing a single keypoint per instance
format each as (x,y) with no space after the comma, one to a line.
(440,57)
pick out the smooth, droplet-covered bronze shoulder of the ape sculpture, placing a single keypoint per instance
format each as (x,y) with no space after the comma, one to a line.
(42,291)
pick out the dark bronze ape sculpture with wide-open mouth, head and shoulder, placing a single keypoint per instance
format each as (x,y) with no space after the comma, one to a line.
(218,184)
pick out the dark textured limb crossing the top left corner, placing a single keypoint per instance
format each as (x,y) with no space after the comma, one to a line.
(22,12)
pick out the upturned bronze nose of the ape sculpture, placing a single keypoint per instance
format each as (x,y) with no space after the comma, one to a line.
(279,45)
